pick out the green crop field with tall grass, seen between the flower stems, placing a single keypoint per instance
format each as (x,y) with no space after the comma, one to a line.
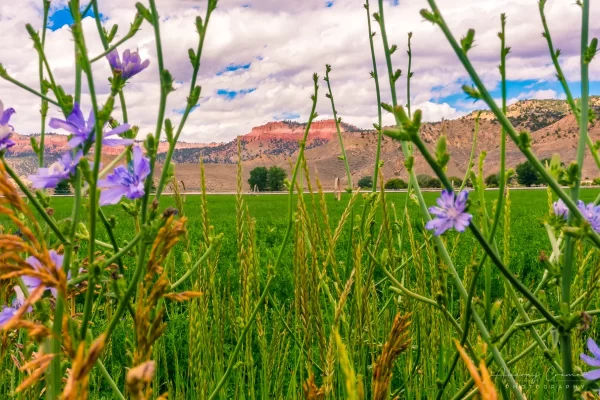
(200,336)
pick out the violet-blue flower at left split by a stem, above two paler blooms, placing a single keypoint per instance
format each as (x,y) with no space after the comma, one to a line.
(83,131)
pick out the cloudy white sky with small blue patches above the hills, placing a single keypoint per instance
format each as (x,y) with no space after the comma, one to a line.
(260,55)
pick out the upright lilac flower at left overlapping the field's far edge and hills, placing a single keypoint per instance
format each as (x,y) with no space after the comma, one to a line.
(126,181)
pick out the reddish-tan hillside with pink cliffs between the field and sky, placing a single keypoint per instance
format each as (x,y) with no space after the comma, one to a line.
(553,129)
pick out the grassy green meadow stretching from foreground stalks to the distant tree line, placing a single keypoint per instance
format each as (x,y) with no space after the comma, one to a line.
(293,337)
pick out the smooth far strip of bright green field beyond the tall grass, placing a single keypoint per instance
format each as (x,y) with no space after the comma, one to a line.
(527,238)
